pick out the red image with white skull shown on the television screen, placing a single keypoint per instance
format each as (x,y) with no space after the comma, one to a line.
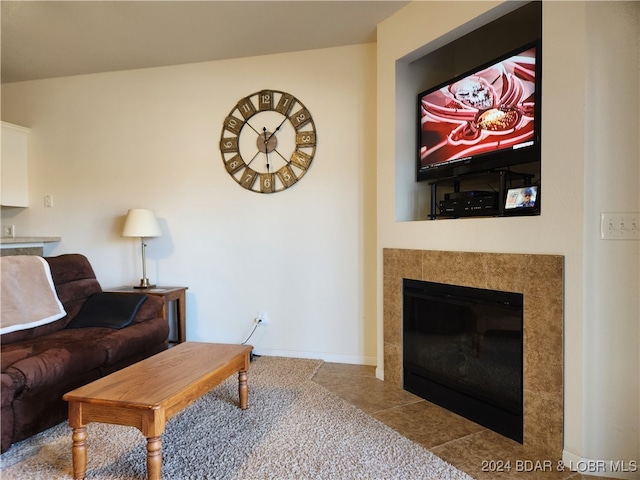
(489,110)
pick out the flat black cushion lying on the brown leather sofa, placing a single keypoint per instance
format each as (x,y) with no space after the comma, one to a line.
(106,309)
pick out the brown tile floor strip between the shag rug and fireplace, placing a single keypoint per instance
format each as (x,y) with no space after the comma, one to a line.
(468,446)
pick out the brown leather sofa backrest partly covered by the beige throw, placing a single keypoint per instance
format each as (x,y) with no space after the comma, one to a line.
(75,281)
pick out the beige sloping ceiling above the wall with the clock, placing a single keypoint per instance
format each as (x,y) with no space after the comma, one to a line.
(46,39)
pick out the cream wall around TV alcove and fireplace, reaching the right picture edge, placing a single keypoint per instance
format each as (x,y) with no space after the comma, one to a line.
(589,165)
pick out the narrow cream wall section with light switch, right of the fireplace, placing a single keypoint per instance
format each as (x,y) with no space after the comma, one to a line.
(612,269)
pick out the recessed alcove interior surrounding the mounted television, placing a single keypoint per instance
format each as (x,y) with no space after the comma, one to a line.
(439,61)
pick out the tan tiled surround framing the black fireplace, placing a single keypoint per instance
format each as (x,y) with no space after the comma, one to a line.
(540,279)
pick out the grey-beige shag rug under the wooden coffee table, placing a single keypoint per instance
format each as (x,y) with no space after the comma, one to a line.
(293,429)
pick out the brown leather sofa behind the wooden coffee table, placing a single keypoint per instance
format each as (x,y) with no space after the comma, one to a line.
(41,364)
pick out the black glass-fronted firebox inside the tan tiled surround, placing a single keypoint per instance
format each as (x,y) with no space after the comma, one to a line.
(463,350)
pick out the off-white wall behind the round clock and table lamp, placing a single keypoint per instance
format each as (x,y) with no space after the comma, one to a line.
(104,143)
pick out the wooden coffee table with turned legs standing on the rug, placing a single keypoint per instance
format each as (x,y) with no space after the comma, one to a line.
(147,394)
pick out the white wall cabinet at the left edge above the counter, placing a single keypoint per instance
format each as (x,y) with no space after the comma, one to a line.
(14,189)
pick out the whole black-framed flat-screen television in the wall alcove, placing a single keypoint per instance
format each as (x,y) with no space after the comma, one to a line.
(486,119)
